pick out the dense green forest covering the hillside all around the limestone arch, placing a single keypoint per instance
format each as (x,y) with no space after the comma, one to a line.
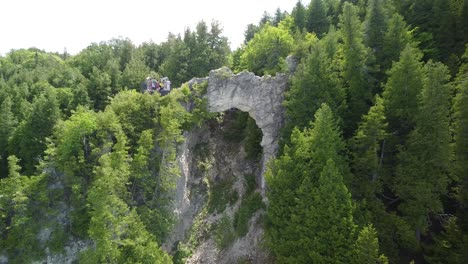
(373,158)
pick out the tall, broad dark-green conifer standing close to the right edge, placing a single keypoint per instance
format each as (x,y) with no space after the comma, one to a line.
(422,172)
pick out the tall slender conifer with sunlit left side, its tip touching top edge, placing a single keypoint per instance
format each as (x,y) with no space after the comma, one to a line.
(355,70)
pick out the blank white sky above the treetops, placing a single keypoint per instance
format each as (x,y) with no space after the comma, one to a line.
(53,25)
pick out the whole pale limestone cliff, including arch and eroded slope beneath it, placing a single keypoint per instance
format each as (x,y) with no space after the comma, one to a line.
(223,161)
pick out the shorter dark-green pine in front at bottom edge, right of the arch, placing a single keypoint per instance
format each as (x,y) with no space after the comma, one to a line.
(323,219)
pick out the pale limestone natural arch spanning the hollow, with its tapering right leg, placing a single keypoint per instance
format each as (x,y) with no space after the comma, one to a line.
(261,97)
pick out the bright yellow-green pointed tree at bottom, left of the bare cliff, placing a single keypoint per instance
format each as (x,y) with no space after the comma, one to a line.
(119,234)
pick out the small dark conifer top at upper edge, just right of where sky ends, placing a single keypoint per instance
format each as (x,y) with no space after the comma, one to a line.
(317,20)
